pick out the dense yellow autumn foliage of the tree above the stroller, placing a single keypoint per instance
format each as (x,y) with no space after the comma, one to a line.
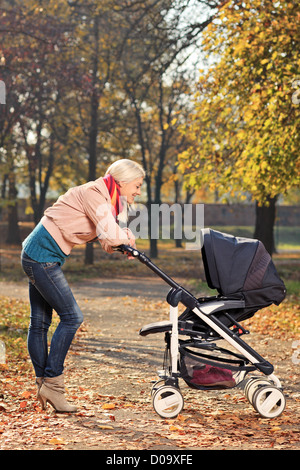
(244,127)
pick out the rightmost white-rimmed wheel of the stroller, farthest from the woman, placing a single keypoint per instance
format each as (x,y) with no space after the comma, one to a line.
(269,401)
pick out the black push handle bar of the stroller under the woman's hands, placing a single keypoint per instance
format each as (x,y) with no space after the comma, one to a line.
(177,293)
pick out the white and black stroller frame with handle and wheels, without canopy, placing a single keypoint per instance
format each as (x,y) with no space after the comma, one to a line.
(264,392)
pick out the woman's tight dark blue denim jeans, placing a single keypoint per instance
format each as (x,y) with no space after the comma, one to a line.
(48,291)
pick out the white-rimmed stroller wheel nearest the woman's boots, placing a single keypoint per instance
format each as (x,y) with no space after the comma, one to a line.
(167,401)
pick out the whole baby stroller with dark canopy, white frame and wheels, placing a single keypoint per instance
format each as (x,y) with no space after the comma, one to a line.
(242,272)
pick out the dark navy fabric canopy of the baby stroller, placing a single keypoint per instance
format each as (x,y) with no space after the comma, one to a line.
(241,268)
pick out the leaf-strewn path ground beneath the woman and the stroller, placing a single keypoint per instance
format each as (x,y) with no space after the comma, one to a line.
(109,372)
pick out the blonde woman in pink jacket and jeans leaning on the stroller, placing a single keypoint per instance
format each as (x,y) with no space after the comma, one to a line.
(82,214)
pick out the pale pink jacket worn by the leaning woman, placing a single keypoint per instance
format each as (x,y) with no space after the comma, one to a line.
(82,214)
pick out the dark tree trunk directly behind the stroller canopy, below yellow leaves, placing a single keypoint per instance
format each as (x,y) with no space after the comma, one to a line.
(264,224)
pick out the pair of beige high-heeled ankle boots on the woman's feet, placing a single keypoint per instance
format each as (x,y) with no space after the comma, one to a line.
(53,391)
